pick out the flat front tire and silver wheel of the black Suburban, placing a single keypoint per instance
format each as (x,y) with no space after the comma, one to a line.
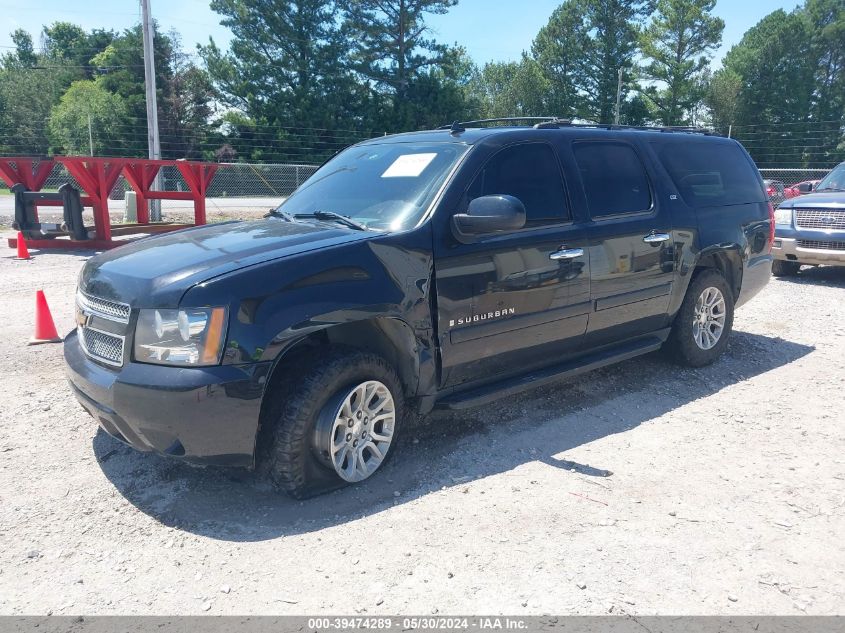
(304,417)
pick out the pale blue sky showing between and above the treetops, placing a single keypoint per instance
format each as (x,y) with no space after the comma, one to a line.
(490,30)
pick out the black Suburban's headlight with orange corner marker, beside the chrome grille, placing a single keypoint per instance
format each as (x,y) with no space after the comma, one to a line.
(193,336)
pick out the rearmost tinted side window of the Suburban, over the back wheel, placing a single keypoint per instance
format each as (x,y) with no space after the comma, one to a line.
(710,174)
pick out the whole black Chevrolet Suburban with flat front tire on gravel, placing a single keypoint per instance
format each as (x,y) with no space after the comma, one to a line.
(443,268)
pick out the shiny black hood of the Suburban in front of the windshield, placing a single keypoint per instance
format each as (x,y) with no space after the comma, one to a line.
(156,271)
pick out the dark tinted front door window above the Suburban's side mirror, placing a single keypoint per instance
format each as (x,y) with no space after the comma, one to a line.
(529,172)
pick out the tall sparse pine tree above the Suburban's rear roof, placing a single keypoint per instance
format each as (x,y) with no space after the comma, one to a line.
(677,44)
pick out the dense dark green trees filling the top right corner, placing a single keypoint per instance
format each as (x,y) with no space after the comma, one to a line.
(789,109)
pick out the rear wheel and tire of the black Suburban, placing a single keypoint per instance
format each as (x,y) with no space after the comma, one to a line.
(691,341)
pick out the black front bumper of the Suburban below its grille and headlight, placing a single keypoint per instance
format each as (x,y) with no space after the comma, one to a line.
(204,414)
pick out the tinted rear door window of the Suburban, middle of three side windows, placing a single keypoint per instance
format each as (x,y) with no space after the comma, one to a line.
(614,178)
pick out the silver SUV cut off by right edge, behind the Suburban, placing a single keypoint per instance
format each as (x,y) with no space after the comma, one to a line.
(810,229)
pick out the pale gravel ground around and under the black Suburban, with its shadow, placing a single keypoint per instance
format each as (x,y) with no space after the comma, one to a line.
(641,488)
